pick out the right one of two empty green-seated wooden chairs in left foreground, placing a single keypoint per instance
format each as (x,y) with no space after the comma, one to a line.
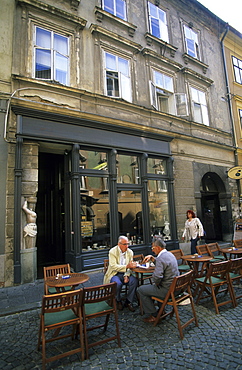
(100,301)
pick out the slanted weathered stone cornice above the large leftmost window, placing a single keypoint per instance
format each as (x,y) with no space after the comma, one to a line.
(54,11)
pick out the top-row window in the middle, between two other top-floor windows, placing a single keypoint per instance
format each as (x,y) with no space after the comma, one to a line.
(158,23)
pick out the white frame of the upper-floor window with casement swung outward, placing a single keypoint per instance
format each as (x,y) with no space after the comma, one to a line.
(176,102)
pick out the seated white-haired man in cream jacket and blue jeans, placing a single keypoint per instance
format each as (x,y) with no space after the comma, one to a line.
(120,263)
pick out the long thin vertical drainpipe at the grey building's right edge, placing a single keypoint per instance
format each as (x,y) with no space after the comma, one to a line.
(234,137)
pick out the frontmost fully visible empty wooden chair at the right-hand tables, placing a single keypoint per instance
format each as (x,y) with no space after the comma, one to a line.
(211,284)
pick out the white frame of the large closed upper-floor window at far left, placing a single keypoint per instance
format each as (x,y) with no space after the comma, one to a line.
(53,55)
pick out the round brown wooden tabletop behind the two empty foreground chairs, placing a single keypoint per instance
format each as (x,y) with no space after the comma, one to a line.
(60,283)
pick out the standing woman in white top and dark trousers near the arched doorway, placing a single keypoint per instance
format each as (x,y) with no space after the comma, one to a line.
(193,230)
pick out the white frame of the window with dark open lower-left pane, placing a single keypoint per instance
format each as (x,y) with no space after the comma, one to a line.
(124,81)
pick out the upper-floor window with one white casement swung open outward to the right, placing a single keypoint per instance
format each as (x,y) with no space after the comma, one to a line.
(163,97)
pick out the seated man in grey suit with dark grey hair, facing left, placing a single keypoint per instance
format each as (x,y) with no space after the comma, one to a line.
(166,268)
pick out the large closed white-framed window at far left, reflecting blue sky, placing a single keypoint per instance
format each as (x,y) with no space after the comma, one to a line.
(51,53)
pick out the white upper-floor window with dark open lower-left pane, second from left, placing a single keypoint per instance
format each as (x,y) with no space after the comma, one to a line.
(117,77)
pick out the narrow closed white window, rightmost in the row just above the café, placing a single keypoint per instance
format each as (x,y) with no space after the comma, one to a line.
(199,105)
